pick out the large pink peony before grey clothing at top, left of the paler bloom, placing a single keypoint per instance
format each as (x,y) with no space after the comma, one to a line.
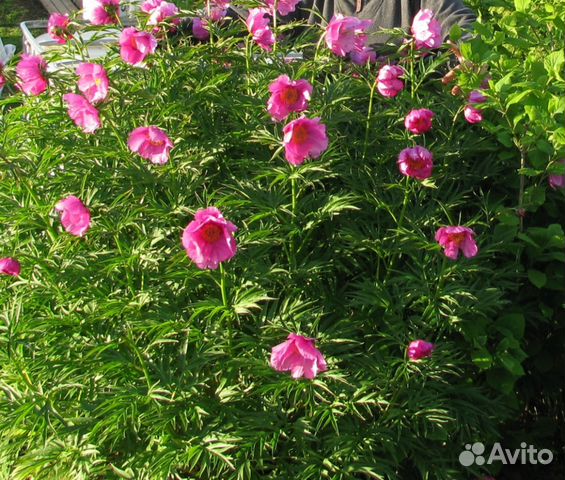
(345,34)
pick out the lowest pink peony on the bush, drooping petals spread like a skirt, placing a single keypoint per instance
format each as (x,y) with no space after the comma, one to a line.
(299,356)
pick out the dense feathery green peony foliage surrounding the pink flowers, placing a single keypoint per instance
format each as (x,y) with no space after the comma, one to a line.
(120,359)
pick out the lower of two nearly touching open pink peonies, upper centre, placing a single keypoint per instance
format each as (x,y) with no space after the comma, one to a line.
(304,138)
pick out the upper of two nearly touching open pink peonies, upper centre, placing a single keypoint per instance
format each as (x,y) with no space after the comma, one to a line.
(288,96)
